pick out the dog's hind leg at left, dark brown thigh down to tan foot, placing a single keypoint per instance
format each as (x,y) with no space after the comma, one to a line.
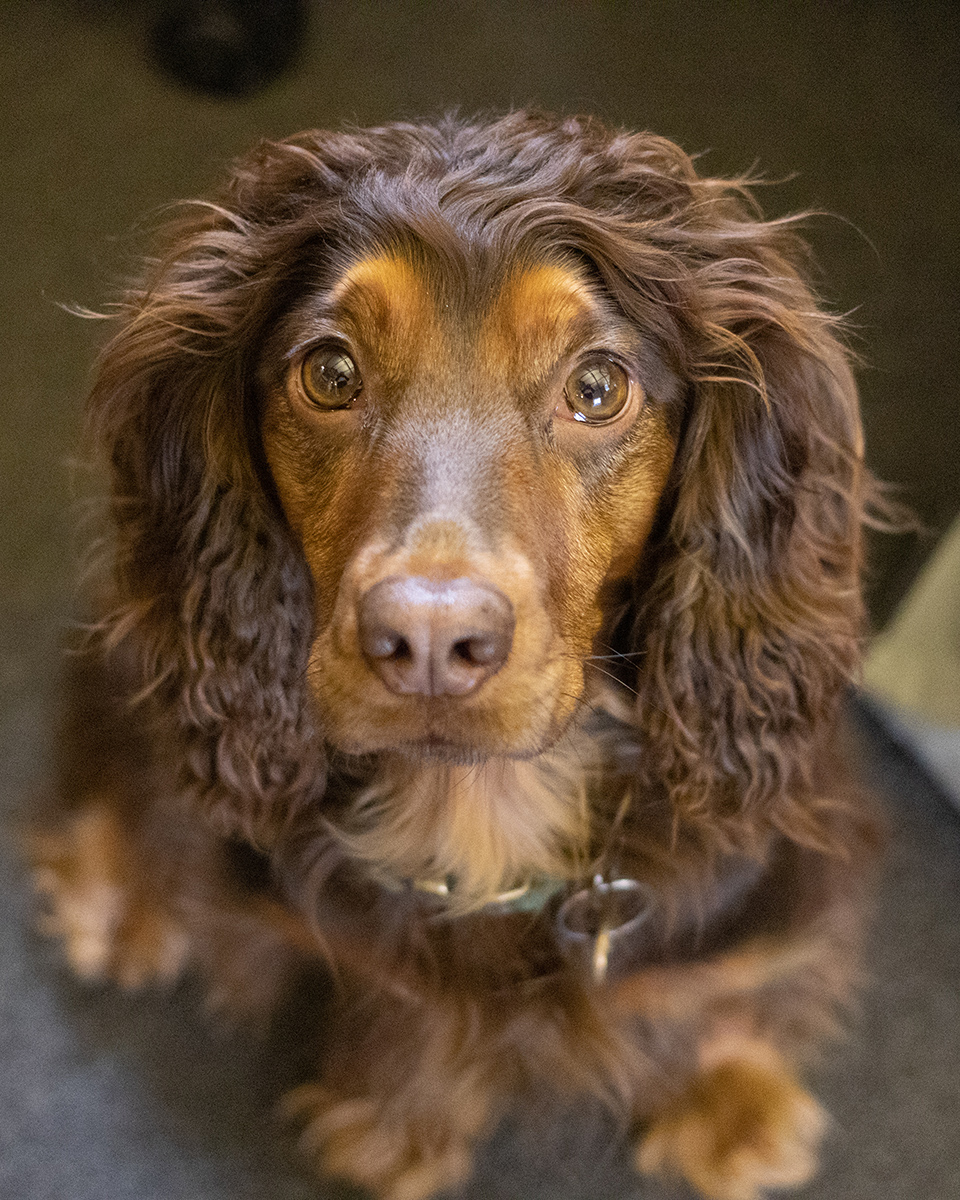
(134,881)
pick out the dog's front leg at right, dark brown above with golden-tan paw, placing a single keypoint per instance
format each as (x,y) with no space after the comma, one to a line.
(747,1021)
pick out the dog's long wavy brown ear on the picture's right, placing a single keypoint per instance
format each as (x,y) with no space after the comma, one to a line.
(749,632)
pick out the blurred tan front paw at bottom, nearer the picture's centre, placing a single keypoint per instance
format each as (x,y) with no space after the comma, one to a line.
(357,1141)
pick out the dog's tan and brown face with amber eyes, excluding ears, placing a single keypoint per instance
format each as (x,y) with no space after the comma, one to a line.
(471,461)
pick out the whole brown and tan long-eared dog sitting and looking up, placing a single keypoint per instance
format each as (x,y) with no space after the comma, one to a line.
(488,506)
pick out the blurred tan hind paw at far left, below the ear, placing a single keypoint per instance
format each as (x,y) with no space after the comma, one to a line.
(110,931)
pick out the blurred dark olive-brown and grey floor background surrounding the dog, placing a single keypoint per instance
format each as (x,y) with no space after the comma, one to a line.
(113,110)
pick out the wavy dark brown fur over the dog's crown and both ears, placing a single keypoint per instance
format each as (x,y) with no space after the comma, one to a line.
(748,619)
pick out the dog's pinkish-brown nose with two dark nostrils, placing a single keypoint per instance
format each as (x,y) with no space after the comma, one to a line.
(433,638)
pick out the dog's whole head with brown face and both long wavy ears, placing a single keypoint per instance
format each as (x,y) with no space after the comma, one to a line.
(419,433)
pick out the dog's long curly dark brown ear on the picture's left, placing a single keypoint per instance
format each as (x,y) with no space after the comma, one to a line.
(208,580)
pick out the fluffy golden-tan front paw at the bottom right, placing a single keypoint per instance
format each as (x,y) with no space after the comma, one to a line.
(742,1127)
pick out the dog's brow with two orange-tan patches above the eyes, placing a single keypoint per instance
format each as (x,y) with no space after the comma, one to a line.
(413,310)
